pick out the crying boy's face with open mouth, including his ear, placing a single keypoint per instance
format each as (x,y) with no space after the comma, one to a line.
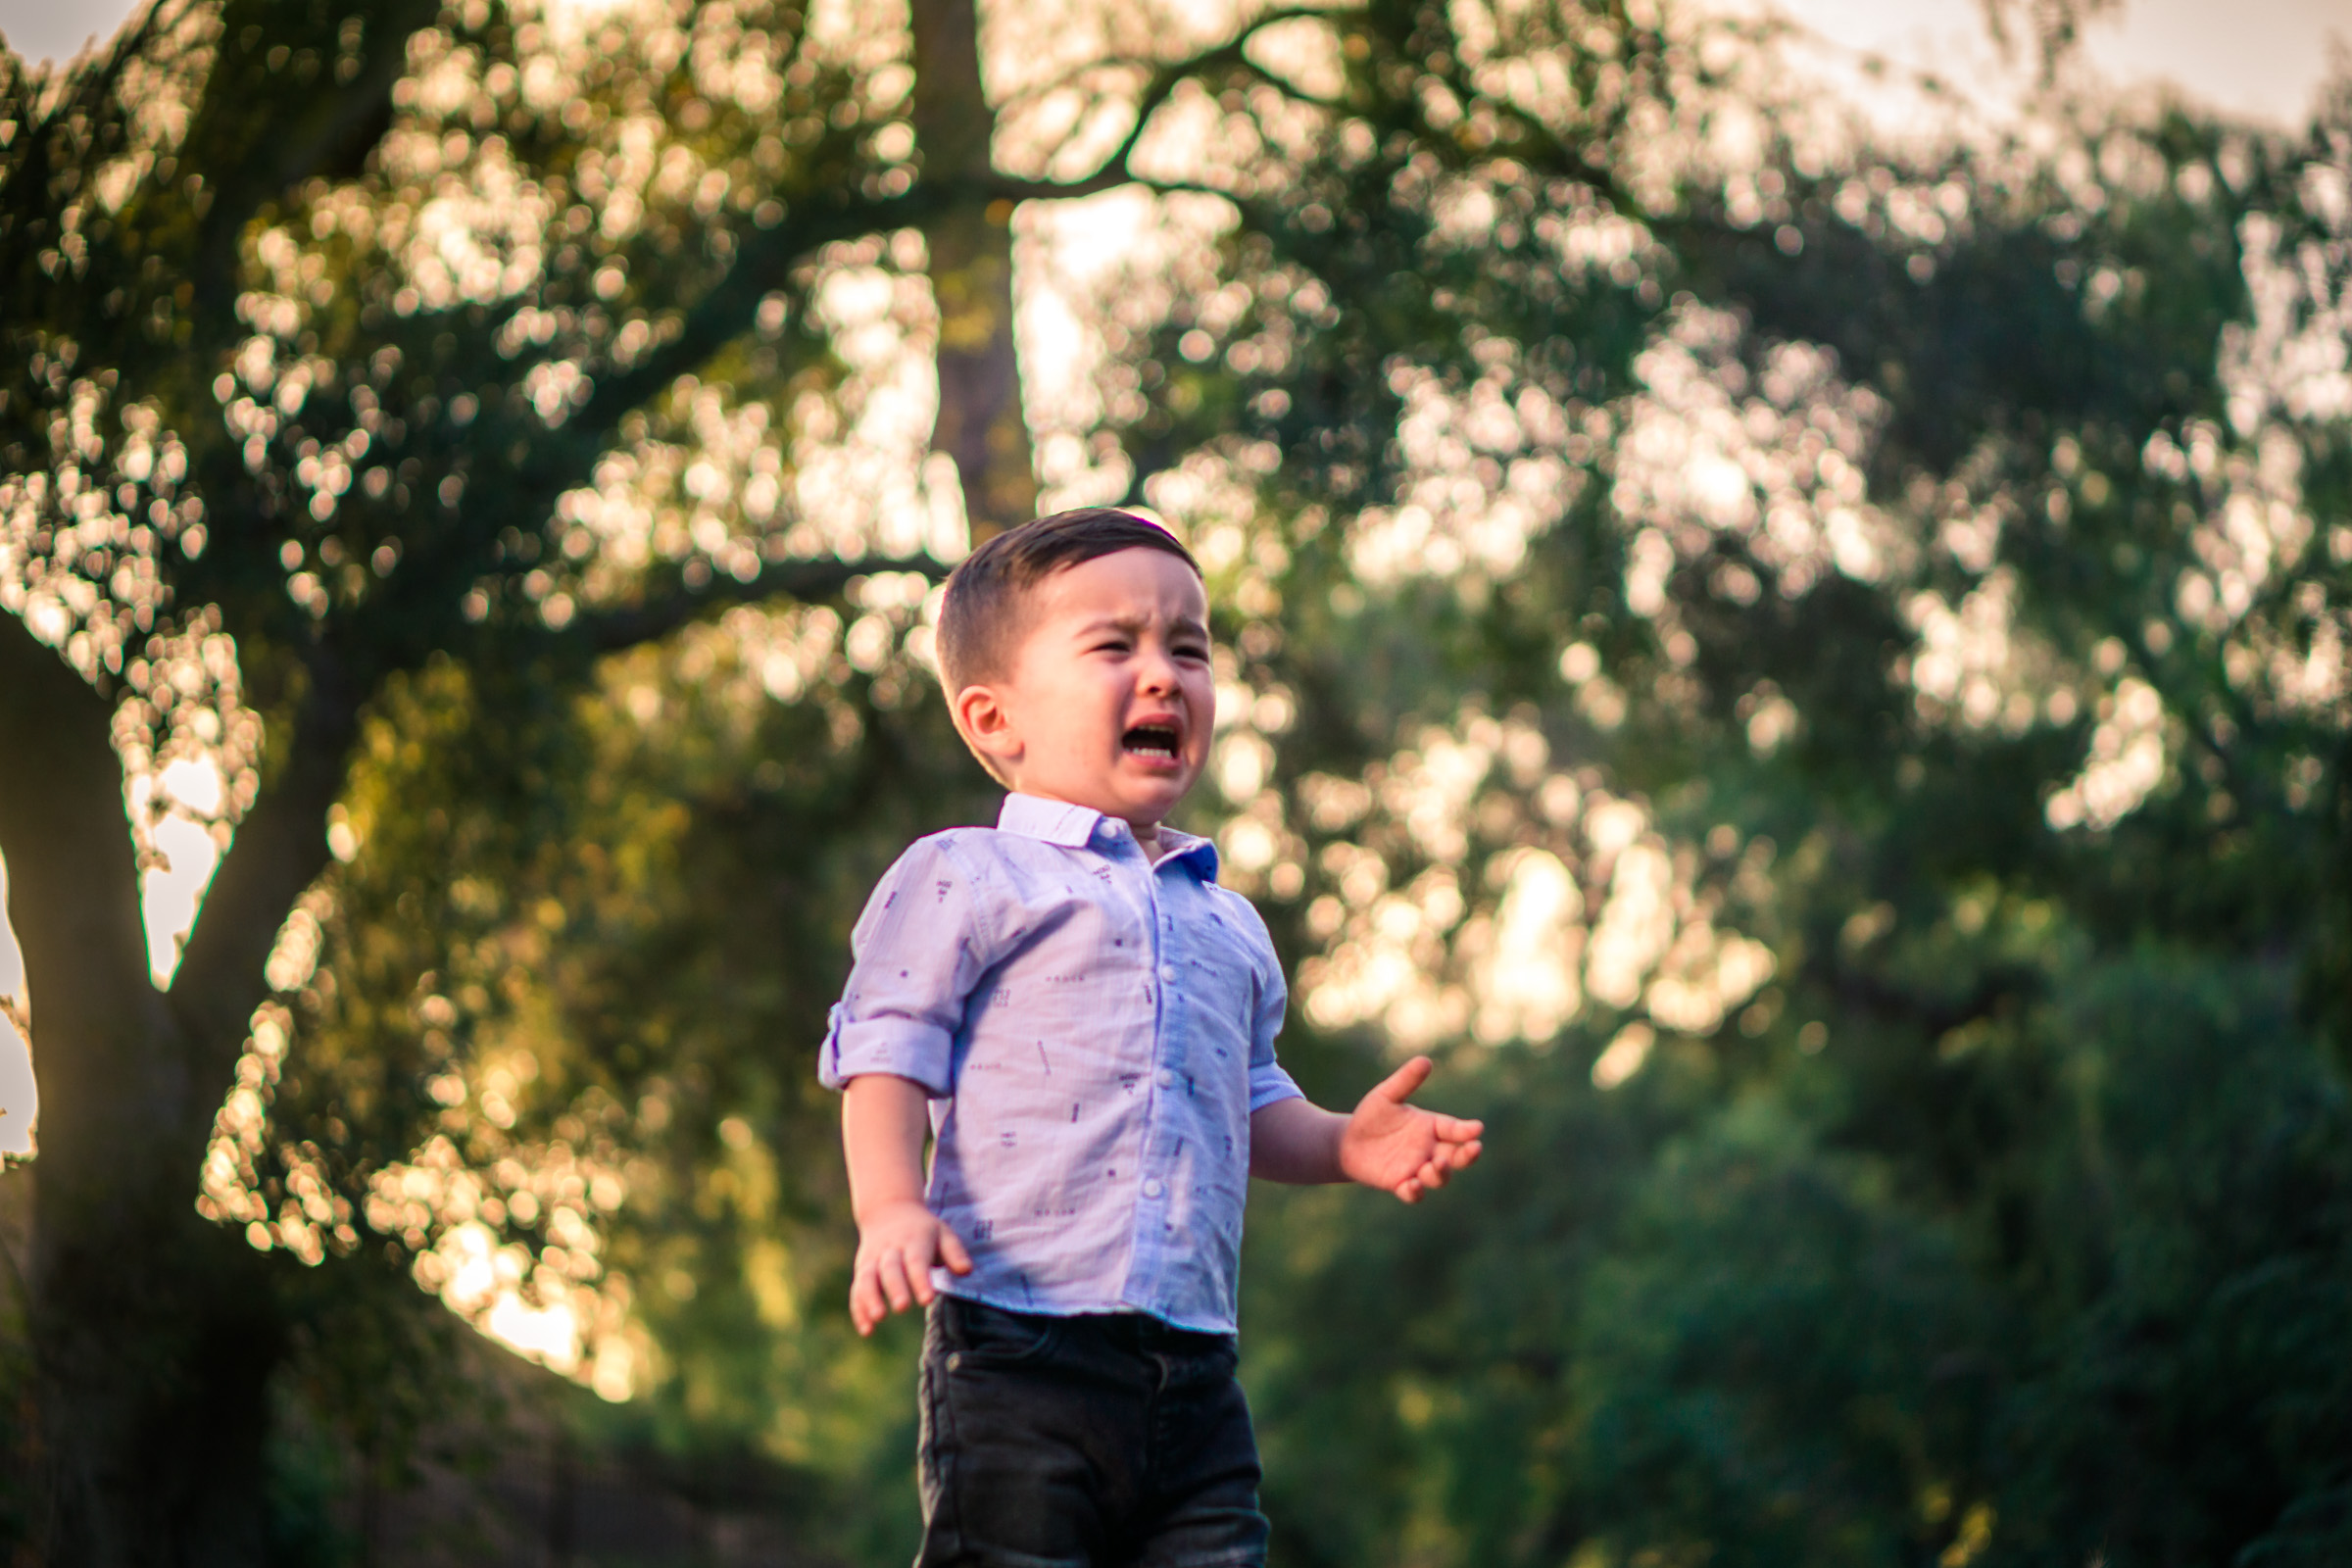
(1109,702)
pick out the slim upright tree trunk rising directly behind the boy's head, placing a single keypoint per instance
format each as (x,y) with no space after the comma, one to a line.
(973,274)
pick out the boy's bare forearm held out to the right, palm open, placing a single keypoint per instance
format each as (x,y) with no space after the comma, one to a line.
(1389,1141)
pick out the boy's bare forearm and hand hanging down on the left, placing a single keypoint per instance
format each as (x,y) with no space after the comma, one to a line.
(900,1240)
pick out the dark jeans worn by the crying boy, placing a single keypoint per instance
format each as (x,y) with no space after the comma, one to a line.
(1083,1442)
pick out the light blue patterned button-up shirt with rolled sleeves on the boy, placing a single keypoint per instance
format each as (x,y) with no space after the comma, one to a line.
(1095,1031)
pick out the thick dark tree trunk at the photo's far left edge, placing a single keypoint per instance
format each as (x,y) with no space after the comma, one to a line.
(154,1332)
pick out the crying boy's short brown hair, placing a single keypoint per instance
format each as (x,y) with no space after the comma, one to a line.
(982,619)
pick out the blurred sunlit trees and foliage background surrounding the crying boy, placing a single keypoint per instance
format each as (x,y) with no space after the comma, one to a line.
(1784,596)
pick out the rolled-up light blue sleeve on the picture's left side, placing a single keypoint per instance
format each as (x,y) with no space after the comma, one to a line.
(918,953)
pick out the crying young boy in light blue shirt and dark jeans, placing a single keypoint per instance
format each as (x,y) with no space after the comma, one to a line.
(1085,1024)
